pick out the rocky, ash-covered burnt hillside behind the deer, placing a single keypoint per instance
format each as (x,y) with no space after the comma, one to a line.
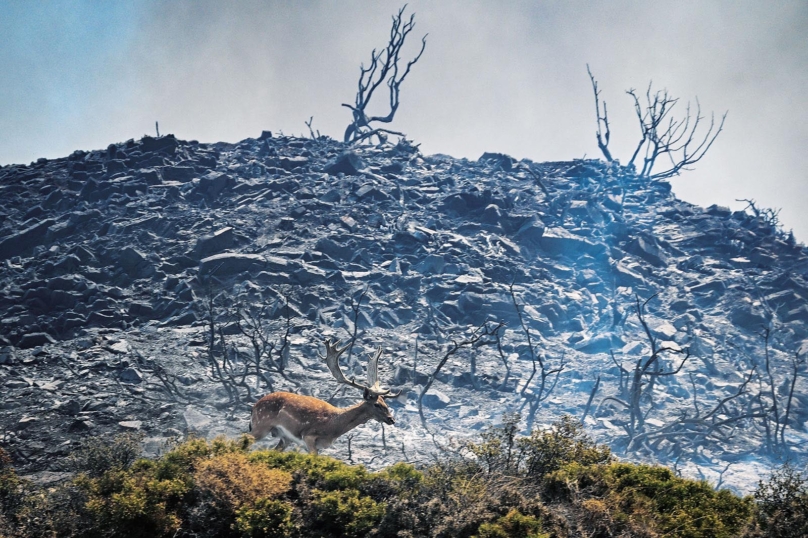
(163,286)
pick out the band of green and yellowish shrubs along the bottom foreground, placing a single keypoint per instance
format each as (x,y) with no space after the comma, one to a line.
(555,483)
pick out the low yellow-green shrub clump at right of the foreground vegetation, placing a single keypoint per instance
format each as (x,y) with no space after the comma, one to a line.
(638,497)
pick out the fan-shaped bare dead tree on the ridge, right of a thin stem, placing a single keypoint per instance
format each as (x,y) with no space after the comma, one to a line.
(667,138)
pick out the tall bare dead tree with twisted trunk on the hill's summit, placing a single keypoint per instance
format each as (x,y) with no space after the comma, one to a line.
(385,68)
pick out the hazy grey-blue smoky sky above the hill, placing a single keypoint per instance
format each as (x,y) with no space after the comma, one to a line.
(496,76)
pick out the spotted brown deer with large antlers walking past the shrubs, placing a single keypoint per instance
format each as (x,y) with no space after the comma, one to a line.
(314,424)
